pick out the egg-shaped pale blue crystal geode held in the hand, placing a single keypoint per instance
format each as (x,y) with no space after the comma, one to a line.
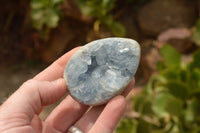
(102,69)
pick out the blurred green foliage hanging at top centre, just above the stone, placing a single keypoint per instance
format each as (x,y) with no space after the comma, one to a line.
(101,10)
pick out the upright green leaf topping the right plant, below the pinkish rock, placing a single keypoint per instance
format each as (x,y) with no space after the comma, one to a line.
(171,57)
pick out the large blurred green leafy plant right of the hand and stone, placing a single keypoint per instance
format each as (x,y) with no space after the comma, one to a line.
(170,102)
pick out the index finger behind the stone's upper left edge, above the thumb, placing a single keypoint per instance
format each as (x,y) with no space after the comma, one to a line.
(56,69)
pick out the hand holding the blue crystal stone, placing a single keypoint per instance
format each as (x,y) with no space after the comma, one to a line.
(19,113)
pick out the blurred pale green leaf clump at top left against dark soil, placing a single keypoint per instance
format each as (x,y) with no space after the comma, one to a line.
(45,13)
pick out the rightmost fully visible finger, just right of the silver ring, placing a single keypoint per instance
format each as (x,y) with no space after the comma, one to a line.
(110,116)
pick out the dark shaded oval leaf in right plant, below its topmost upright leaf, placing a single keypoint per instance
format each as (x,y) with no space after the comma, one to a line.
(177,89)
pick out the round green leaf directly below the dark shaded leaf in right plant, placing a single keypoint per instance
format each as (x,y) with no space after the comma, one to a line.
(174,106)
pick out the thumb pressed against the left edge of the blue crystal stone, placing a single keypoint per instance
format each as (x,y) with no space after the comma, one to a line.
(31,96)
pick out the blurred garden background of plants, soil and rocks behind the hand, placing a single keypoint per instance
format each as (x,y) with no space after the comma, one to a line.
(166,97)
